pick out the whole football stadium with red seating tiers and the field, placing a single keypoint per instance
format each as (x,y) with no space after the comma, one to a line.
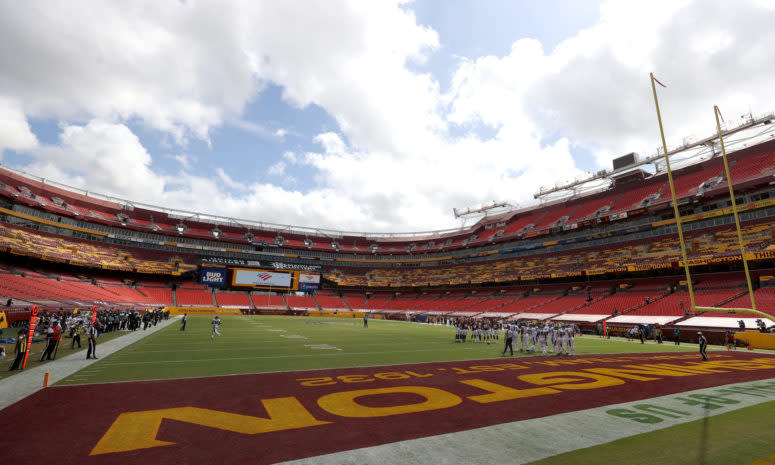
(624,316)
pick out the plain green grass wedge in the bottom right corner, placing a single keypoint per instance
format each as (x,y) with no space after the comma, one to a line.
(739,437)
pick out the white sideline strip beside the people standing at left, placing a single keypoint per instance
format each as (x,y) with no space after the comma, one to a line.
(17,387)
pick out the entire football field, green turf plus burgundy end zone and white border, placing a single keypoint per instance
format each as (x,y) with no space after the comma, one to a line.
(279,389)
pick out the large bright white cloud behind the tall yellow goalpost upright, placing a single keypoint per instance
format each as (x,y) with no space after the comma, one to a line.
(599,93)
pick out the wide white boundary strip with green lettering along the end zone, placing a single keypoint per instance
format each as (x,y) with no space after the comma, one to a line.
(535,439)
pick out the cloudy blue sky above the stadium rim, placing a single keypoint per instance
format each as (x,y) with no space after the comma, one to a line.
(366,116)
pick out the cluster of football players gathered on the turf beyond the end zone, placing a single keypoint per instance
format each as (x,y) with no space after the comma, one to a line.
(523,337)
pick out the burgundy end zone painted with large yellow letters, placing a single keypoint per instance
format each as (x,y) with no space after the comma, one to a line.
(75,419)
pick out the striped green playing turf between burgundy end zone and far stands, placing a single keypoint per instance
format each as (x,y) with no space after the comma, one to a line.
(255,344)
